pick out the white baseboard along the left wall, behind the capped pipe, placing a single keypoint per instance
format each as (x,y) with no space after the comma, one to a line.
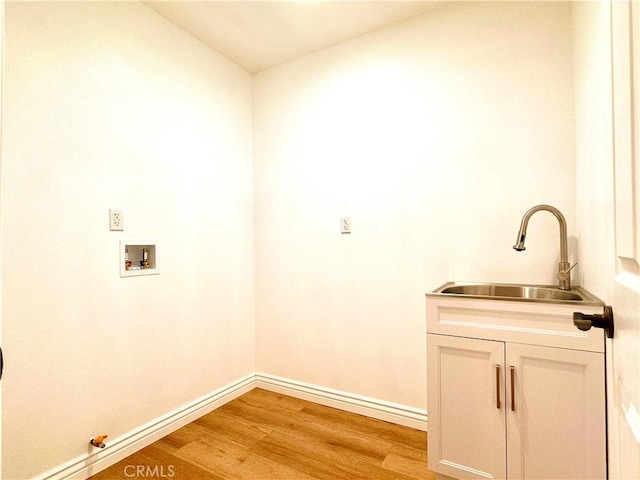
(119,448)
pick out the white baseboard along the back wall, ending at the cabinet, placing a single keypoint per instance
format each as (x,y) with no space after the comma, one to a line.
(370,407)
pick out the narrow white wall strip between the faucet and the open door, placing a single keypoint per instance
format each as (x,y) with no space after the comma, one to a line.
(594,147)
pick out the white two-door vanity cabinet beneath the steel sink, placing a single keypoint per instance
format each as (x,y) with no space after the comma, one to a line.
(515,390)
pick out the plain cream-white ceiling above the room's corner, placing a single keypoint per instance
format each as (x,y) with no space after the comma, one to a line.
(260,34)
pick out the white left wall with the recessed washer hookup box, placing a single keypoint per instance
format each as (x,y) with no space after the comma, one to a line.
(109,106)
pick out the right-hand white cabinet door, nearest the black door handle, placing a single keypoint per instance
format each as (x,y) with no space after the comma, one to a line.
(556,414)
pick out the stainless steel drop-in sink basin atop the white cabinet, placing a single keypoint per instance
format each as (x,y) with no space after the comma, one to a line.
(529,293)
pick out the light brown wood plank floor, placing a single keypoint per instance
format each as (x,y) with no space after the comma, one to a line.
(266,436)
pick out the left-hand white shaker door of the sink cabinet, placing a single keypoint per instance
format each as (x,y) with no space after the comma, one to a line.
(466,402)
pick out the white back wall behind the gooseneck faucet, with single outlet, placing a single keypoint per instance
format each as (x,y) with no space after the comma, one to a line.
(435,136)
